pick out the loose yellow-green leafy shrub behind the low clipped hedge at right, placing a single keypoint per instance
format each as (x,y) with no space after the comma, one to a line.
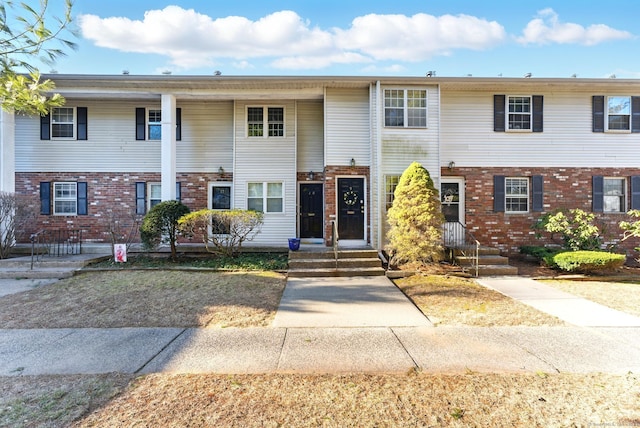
(576,228)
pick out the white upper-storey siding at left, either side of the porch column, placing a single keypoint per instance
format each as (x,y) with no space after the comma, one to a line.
(207,141)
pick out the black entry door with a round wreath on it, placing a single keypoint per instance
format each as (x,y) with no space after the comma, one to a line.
(351,208)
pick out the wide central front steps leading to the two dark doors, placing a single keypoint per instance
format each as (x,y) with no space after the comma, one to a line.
(323,263)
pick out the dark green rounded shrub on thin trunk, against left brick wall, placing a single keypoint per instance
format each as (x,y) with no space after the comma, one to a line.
(160,225)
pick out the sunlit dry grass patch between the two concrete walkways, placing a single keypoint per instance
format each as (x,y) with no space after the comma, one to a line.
(450,300)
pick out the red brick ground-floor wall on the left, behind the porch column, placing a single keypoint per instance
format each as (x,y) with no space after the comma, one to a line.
(108,192)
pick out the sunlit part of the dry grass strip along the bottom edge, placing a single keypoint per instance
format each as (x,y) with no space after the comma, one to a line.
(374,401)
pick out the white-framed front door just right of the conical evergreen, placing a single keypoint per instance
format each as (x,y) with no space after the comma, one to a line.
(452,201)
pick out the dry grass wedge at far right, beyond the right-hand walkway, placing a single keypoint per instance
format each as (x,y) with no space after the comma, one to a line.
(622,296)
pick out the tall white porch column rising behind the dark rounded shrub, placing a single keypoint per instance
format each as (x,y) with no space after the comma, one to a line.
(168,148)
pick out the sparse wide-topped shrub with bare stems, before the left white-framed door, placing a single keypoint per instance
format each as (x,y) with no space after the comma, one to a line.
(222,232)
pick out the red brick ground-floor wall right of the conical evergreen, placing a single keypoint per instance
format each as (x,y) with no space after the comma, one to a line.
(564,188)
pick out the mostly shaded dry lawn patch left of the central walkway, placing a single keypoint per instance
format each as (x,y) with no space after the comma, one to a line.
(148,299)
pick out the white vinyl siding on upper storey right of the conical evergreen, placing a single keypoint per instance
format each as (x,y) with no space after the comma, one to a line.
(567,140)
